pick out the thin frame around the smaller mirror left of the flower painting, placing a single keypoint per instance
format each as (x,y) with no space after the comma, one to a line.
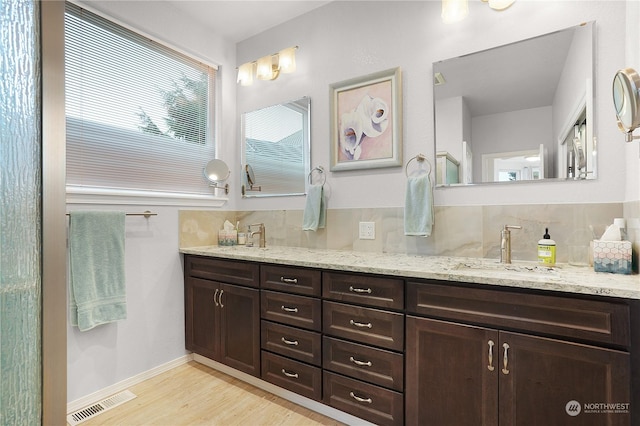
(259,186)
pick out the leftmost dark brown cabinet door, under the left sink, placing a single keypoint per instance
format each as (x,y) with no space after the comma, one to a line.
(201,317)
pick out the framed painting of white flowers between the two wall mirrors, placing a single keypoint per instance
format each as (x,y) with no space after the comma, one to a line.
(366,121)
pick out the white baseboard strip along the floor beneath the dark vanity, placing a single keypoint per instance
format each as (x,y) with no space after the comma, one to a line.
(316,406)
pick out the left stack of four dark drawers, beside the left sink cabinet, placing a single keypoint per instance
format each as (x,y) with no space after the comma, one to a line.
(291,312)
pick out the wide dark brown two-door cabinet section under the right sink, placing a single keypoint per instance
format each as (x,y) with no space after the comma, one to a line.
(516,359)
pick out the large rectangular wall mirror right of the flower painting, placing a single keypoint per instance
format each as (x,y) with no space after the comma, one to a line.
(519,112)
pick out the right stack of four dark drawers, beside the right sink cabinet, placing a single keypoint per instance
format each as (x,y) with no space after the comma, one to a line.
(363,346)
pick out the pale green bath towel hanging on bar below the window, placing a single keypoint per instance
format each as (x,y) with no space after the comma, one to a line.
(97,278)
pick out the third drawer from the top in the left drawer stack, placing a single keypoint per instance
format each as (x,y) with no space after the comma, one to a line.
(292,342)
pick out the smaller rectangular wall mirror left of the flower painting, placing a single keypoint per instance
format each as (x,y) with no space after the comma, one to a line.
(276,149)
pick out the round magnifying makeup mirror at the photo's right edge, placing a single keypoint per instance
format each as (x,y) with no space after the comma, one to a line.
(626,100)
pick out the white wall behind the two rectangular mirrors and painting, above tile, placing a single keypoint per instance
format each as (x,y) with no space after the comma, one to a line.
(348,39)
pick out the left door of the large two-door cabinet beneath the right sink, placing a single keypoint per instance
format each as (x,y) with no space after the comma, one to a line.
(450,377)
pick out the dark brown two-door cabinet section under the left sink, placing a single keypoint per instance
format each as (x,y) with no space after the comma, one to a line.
(222,312)
